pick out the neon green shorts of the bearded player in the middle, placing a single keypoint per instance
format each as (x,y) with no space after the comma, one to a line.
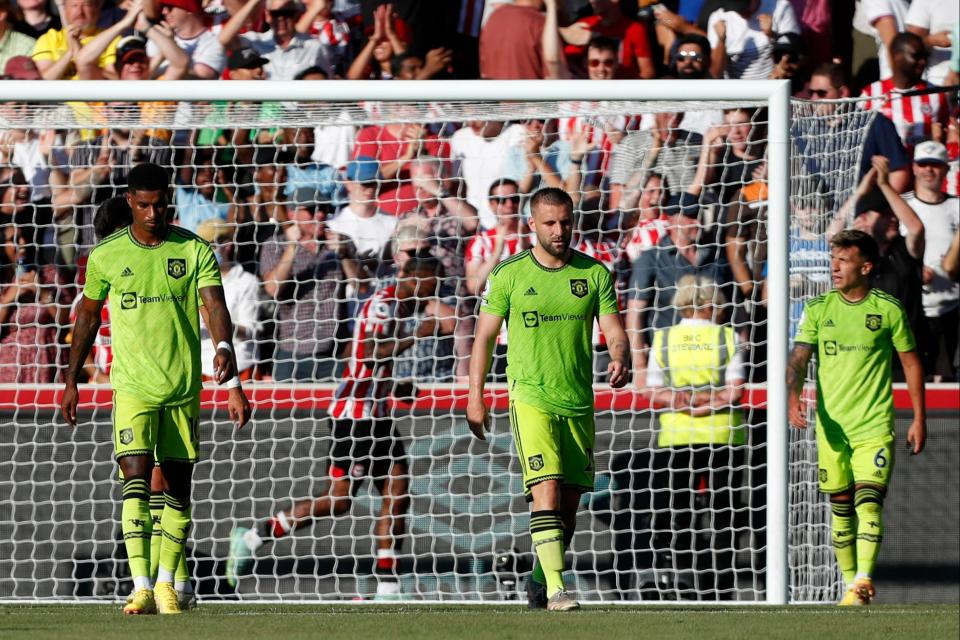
(553,447)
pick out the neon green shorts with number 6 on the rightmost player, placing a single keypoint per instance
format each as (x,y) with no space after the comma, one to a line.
(843,464)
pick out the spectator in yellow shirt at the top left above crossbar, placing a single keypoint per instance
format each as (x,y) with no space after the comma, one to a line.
(55,50)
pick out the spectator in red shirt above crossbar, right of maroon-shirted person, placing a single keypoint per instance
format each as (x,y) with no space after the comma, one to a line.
(610,21)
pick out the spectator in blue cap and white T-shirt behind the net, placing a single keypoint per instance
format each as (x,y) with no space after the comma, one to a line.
(364,231)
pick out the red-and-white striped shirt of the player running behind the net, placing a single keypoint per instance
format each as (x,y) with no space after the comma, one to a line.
(364,390)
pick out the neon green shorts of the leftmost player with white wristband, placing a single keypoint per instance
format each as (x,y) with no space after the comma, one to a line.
(168,433)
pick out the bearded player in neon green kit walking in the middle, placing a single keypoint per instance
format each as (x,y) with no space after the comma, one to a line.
(549,295)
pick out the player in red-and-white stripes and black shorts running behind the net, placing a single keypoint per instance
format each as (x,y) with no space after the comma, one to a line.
(365,438)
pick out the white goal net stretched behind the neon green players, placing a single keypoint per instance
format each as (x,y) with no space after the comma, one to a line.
(378,183)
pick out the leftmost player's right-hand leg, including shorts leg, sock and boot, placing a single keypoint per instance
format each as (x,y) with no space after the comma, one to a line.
(178,445)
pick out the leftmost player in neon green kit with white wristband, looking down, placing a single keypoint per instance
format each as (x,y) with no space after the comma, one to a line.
(157,273)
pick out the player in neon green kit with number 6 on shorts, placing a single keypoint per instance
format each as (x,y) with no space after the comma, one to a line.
(854,329)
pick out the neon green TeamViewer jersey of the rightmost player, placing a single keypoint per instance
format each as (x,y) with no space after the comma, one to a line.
(855,343)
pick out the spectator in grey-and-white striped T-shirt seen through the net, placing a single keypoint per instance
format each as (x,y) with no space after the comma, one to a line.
(665,148)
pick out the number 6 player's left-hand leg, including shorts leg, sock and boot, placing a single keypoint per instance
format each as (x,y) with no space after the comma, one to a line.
(835,477)
